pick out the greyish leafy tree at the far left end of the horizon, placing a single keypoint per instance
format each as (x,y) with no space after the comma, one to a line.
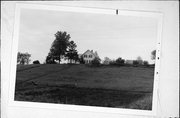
(23,58)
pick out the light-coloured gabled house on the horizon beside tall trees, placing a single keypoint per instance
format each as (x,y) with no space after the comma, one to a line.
(89,55)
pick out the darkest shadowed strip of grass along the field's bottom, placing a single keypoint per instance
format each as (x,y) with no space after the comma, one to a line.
(81,96)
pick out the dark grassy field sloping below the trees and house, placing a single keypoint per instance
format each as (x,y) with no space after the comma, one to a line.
(107,86)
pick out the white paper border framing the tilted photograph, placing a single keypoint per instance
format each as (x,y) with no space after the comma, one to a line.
(12,79)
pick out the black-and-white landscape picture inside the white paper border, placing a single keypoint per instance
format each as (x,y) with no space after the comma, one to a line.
(86,59)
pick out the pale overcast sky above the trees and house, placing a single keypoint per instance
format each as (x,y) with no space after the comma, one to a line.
(111,36)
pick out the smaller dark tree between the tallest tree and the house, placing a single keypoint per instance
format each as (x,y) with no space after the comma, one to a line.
(72,52)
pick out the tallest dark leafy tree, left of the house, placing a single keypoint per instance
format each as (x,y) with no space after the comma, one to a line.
(59,46)
